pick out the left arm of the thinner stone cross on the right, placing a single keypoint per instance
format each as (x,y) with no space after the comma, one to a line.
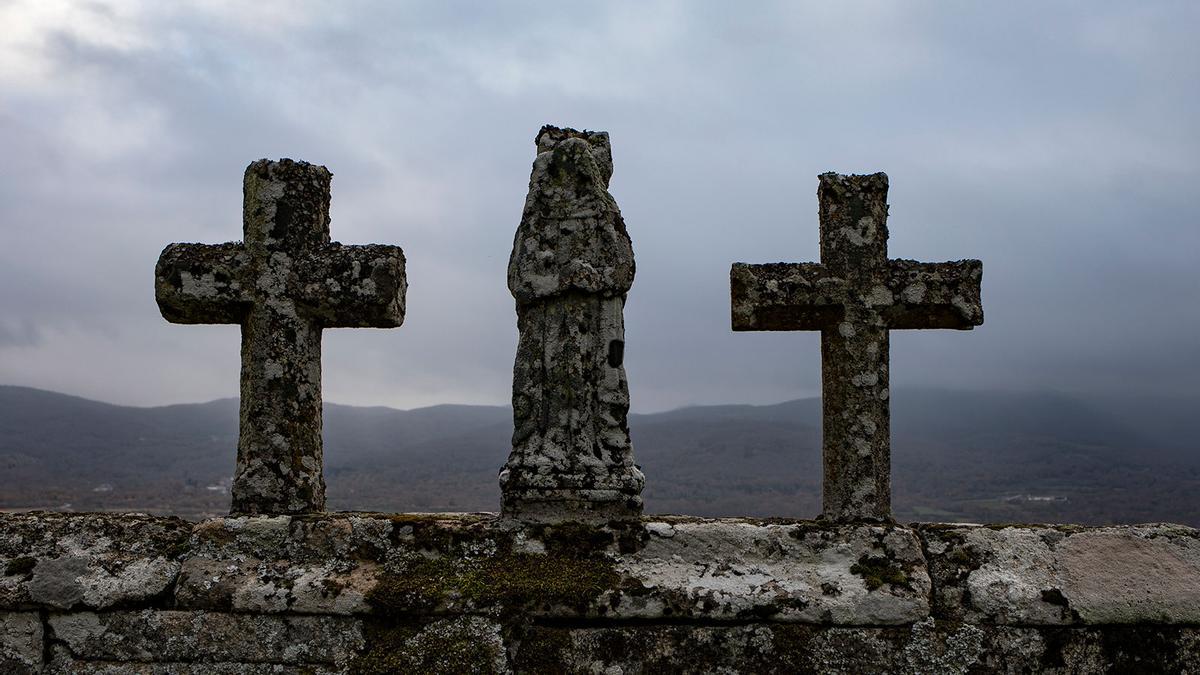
(784,297)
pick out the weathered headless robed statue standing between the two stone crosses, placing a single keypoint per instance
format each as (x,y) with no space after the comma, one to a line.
(572,267)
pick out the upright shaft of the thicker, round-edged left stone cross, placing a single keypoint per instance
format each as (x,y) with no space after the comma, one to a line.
(280,451)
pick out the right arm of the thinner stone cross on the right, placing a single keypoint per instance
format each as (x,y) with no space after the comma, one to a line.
(935,295)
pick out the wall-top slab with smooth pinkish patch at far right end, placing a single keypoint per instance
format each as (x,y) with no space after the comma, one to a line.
(1066,576)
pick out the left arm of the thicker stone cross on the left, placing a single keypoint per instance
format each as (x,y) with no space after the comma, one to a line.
(202,283)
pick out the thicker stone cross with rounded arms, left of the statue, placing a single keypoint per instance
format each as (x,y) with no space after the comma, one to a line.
(284,285)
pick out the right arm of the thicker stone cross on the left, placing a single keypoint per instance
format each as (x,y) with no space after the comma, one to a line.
(356,286)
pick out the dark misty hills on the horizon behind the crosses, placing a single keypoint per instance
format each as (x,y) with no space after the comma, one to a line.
(957,456)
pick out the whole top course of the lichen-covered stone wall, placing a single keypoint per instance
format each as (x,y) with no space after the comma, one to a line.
(681,568)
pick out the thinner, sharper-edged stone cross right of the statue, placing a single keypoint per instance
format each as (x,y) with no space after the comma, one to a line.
(854,297)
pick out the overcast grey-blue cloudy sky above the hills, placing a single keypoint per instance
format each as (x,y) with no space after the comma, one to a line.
(1059,142)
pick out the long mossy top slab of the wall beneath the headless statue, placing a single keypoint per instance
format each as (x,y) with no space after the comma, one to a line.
(706,570)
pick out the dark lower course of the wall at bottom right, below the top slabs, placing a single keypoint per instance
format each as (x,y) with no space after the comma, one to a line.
(925,648)
